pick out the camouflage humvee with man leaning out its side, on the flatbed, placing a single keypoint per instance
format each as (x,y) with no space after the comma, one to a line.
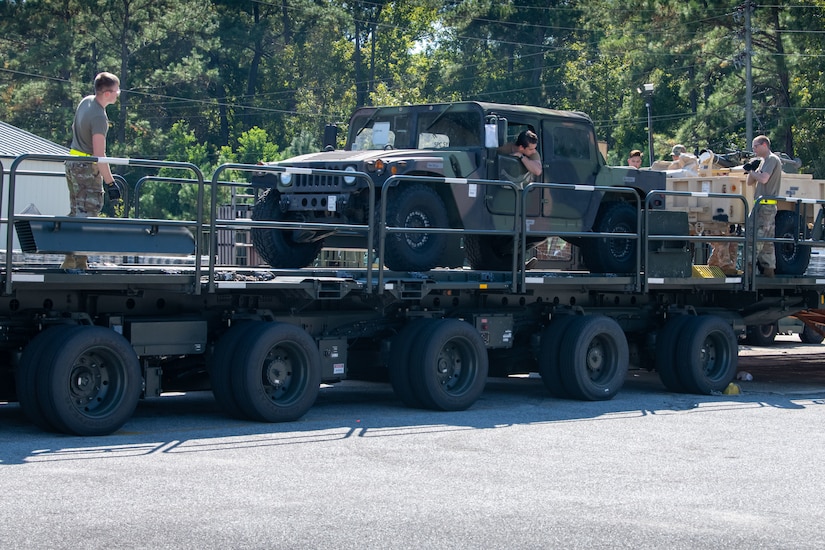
(452,140)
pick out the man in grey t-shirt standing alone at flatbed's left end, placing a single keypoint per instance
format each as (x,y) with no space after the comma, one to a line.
(86,179)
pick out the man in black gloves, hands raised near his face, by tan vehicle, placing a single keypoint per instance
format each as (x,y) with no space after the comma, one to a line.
(767,178)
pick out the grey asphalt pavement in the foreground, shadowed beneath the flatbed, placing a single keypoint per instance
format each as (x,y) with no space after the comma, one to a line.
(520,469)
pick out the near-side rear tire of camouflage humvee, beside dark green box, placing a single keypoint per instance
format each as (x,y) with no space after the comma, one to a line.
(608,255)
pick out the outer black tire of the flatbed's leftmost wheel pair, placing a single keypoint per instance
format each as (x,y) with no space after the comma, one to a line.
(91,382)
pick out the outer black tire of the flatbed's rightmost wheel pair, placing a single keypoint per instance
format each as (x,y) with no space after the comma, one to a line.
(707,355)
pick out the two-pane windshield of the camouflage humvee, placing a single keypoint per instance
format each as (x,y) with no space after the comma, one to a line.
(417,127)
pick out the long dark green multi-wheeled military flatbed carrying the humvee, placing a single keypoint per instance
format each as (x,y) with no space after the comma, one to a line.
(80,349)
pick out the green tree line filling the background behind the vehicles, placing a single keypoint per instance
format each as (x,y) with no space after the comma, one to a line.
(211,81)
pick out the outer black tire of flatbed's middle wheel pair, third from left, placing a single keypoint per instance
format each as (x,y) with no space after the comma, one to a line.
(452,372)
